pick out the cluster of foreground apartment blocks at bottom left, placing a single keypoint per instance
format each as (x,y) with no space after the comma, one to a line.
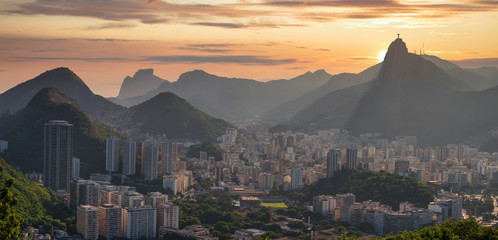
(118,211)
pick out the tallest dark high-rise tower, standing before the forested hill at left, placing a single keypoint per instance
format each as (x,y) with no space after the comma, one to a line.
(57,155)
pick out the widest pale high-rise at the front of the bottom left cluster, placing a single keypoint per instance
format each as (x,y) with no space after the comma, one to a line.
(138,222)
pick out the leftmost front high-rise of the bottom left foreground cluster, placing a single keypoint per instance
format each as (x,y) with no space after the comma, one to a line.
(87,221)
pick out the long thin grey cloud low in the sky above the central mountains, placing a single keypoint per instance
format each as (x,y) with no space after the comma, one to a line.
(238,59)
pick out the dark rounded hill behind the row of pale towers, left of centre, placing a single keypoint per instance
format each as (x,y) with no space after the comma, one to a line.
(169,114)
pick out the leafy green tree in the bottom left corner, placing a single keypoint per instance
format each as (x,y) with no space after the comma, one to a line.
(10,222)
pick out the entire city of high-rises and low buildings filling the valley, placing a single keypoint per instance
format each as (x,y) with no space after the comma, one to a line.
(248,164)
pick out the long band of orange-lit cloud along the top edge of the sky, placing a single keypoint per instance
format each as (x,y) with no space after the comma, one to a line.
(248,14)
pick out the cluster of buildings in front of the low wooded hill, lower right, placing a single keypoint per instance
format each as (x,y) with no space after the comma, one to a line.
(344,208)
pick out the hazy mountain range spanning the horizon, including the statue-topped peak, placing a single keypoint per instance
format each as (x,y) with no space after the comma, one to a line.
(407,94)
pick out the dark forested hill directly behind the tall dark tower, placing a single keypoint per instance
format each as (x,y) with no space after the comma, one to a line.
(24,132)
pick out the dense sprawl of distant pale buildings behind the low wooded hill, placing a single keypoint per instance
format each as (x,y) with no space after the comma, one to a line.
(288,160)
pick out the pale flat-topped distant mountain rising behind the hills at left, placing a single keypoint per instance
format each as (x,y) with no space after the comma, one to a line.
(142,82)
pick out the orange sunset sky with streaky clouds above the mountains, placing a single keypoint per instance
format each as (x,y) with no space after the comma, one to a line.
(103,41)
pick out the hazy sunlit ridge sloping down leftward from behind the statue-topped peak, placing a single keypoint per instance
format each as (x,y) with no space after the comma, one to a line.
(292,108)
